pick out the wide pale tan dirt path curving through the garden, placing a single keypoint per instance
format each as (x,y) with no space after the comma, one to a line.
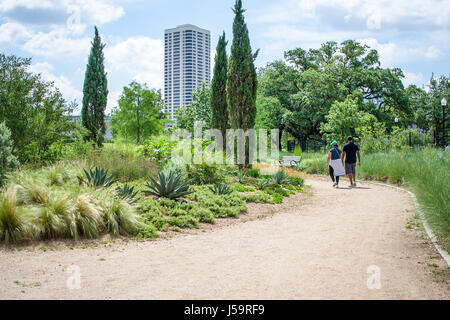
(320,250)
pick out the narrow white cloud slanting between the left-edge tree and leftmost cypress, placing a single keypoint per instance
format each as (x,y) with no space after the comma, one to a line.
(64,85)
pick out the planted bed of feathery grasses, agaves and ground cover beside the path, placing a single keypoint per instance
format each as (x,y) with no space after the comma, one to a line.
(121,191)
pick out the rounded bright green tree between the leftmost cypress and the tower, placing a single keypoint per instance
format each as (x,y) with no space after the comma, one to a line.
(139,114)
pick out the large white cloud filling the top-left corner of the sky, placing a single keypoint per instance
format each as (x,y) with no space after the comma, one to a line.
(61,41)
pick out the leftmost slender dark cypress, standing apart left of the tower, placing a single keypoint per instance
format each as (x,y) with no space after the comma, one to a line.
(95,92)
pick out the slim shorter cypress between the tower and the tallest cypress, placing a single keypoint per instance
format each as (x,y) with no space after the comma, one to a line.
(219,105)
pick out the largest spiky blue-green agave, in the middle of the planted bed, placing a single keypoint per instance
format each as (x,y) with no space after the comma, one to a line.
(168,185)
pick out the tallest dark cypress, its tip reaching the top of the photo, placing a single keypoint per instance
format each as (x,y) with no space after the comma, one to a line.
(241,83)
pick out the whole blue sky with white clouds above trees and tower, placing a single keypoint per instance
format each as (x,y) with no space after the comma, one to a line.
(409,34)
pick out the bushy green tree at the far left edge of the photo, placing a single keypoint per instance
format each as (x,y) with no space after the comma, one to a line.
(33,110)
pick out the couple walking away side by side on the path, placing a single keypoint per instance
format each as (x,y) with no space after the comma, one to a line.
(337,158)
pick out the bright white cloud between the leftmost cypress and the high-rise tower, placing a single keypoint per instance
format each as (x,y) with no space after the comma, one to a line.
(141,58)
